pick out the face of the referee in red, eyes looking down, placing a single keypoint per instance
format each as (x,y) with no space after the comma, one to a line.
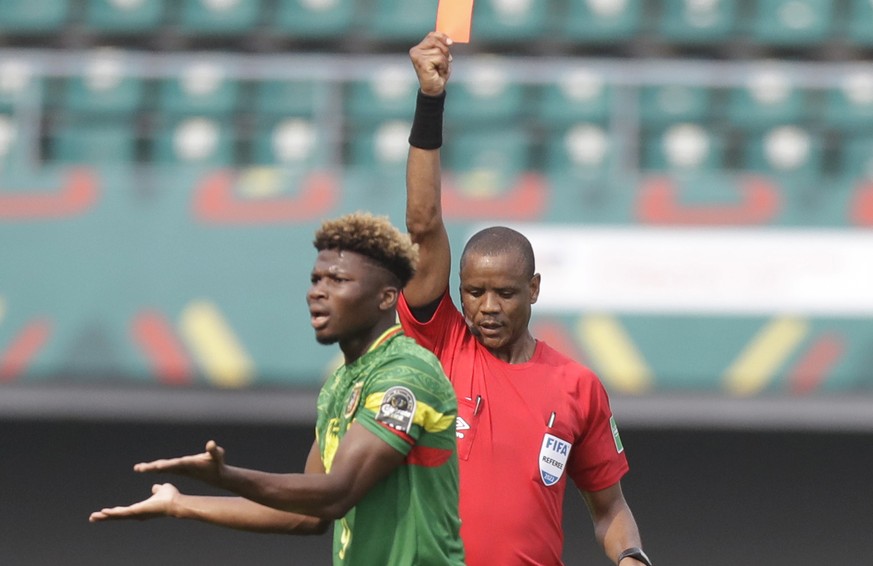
(496,295)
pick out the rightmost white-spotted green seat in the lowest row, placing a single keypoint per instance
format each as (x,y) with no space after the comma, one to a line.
(790,152)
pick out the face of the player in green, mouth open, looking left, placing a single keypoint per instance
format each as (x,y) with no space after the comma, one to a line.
(344,296)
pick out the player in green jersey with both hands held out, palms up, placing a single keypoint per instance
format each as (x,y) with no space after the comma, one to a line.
(384,462)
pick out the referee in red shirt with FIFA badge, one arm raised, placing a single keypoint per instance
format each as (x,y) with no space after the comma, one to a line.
(528,417)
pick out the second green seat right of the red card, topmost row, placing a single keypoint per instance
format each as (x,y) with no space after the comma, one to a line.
(601,21)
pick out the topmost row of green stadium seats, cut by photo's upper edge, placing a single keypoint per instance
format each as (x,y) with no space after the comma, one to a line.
(772,22)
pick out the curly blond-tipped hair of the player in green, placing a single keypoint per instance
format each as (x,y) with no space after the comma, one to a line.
(371,236)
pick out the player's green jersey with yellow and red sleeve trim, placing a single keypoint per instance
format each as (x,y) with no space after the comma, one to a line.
(398,391)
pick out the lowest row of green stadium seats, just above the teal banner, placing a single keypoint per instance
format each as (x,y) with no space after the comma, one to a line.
(583,149)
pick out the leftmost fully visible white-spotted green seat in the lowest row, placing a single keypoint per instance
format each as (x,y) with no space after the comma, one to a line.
(194,140)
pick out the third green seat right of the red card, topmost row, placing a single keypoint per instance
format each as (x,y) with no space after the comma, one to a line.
(696,22)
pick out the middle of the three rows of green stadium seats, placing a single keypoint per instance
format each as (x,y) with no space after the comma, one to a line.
(110,85)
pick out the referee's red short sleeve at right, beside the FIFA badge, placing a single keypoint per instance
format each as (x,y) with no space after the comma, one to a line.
(598,460)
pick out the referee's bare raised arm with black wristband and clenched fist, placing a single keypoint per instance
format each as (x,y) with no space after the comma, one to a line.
(431,59)
